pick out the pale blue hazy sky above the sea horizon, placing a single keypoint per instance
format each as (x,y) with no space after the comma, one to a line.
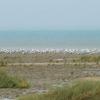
(49,14)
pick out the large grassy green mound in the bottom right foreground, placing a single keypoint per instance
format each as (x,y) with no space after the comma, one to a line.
(80,90)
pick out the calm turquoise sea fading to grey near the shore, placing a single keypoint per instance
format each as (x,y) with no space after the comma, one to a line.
(50,39)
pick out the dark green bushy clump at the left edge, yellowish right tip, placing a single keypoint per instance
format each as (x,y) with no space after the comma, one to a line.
(7,81)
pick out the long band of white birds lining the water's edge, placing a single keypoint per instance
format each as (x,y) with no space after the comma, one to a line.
(31,50)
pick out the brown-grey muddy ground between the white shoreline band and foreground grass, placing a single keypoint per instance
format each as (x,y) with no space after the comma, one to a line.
(43,77)
